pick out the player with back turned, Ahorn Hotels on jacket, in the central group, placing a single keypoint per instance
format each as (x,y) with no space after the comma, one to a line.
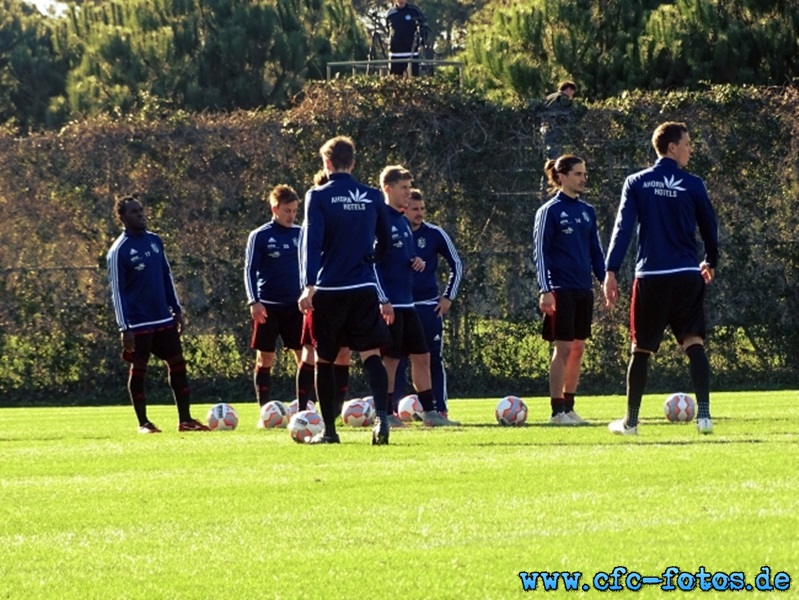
(343,220)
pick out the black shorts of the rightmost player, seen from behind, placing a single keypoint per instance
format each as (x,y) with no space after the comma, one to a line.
(673,300)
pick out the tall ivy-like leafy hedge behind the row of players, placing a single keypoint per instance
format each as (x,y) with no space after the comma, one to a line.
(203,178)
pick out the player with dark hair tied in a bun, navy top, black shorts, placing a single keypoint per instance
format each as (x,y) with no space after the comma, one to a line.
(566,250)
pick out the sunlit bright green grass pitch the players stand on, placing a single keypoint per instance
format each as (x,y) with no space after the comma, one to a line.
(91,509)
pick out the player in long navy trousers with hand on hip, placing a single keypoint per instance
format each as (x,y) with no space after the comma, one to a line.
(431,242)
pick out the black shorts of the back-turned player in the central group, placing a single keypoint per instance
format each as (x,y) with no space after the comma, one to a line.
(347,318)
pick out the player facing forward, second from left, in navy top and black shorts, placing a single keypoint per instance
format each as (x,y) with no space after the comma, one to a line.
(272,283)
